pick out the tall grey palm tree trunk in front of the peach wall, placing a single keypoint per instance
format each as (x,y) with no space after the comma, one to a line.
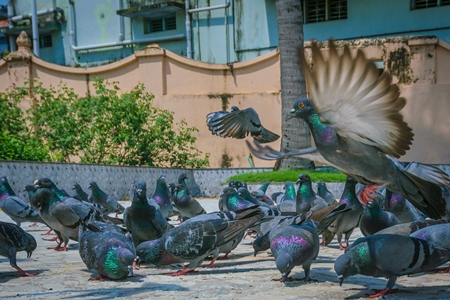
(295,132)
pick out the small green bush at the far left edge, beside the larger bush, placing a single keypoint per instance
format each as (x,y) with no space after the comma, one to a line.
(15,137)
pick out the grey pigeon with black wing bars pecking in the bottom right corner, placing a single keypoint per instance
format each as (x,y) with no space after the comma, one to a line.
(379,256)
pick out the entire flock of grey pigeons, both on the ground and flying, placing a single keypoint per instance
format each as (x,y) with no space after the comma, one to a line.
(354,117)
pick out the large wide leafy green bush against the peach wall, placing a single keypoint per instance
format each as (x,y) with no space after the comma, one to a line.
(110,127)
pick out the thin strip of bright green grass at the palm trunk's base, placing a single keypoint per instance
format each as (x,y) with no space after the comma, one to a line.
(289,175)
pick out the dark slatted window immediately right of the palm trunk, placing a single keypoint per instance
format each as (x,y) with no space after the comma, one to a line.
(324,10)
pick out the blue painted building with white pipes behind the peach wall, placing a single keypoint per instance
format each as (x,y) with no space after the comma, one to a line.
(96,32)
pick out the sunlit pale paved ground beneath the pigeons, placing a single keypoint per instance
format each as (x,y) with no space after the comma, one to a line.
(62,275)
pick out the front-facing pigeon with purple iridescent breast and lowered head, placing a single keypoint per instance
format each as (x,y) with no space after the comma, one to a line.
(295,245)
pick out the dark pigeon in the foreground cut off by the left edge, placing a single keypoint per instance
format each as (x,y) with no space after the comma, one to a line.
(14,239)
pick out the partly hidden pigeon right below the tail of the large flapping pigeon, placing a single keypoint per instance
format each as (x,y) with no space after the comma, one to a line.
(401,208)
